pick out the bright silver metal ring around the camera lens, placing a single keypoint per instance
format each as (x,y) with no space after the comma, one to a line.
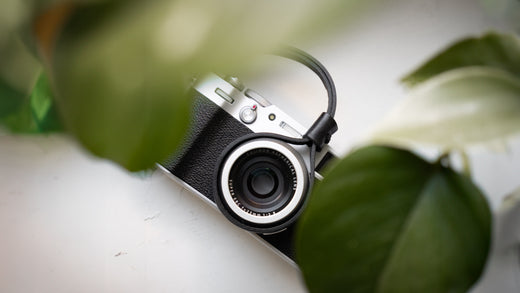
(300,186)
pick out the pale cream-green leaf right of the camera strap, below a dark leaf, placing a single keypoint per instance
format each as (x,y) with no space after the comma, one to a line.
(457,108)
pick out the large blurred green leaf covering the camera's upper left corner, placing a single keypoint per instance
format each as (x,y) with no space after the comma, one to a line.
(120,67)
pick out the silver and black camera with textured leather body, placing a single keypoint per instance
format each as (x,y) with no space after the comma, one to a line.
(250,159)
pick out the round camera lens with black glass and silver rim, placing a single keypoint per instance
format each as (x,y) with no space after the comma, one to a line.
(262,182)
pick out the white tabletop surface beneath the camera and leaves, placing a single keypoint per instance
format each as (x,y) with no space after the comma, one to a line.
(73,223)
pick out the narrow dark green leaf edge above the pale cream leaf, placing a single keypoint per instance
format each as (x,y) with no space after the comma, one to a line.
(501,51)
